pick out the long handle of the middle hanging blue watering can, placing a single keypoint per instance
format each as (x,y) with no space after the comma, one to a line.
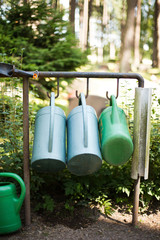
(85,121)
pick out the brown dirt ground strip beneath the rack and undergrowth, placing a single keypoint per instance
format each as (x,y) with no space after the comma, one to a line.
(86,223)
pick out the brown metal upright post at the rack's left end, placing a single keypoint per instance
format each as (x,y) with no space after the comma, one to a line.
(26,149)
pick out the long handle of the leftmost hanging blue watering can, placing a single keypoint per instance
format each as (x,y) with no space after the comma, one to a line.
(51,124)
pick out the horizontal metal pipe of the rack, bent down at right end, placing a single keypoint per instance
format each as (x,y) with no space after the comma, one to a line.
(20,73)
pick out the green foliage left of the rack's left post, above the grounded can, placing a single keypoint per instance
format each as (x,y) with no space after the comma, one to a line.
(10,131)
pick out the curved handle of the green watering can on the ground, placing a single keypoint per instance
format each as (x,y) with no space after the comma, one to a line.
(22,185)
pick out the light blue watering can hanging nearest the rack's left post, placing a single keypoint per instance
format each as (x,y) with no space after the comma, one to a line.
(49,147)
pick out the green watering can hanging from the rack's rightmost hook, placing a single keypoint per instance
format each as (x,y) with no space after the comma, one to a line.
(116,142)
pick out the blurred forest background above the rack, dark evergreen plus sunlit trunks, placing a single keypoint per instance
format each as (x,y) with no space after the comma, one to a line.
(54,35)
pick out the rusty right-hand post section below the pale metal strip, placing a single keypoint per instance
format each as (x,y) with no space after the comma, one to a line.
(136,201)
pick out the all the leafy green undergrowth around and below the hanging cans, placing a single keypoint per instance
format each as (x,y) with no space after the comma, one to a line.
(109,184)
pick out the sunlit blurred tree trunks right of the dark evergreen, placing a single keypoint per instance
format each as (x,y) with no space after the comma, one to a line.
(126,31)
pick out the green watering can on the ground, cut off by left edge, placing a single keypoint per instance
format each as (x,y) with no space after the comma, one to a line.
(10,204)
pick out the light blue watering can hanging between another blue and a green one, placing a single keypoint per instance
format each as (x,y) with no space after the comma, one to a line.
(83,151)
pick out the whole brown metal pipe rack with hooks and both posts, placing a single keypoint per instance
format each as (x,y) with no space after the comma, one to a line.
(8,70)
